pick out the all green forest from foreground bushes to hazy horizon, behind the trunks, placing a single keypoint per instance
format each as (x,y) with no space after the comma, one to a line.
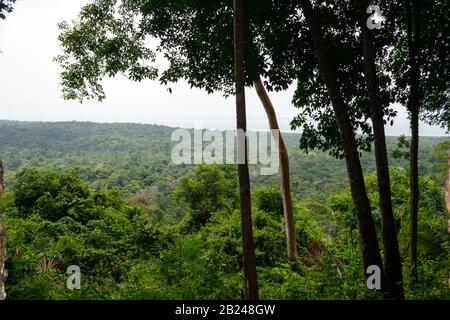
(106,197)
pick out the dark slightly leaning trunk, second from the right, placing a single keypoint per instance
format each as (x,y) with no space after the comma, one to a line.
(392,259)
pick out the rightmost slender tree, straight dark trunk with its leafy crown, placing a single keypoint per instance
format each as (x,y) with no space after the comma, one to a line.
(421,84)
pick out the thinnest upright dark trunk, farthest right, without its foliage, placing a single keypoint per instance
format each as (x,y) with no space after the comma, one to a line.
(413,34)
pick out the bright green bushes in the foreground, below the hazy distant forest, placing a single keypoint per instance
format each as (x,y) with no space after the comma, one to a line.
(126,251)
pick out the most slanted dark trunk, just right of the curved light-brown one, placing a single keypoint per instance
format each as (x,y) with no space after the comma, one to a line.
(369,243)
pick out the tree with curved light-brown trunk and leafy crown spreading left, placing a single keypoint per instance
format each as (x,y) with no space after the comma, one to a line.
(195,37)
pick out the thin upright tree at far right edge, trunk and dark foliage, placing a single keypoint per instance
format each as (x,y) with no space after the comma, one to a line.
(428,88)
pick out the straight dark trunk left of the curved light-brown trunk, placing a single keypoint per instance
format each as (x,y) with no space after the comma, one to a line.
(251,285)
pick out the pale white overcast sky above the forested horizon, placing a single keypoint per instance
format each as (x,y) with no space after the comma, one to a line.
(30,84)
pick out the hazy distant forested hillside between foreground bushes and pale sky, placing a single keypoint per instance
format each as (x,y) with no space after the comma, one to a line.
(133,157)
